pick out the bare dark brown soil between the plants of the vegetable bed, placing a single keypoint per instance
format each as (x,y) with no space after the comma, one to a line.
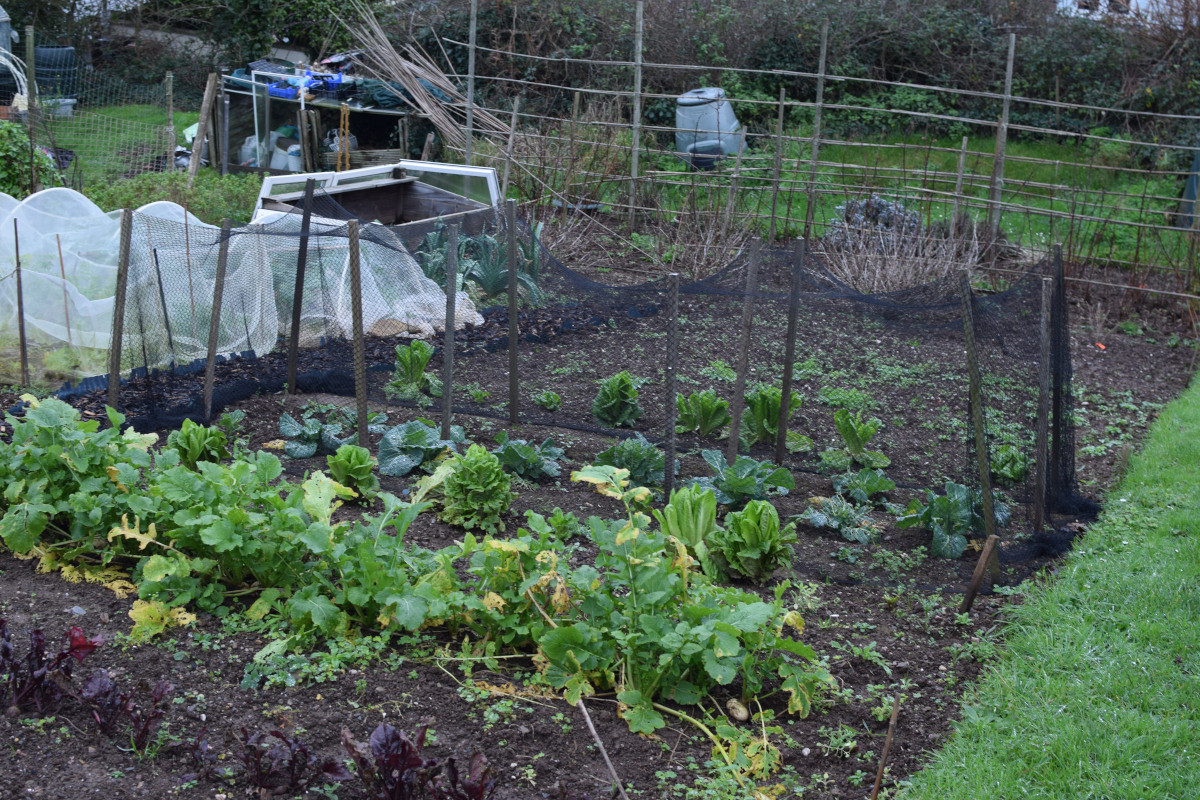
(913,380)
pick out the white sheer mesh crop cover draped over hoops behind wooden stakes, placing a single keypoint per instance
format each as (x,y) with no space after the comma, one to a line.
(69,257)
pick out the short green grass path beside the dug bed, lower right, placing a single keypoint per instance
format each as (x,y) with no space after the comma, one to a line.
(1097,694)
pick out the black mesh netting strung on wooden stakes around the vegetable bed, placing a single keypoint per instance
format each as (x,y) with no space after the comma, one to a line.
(898,357)
